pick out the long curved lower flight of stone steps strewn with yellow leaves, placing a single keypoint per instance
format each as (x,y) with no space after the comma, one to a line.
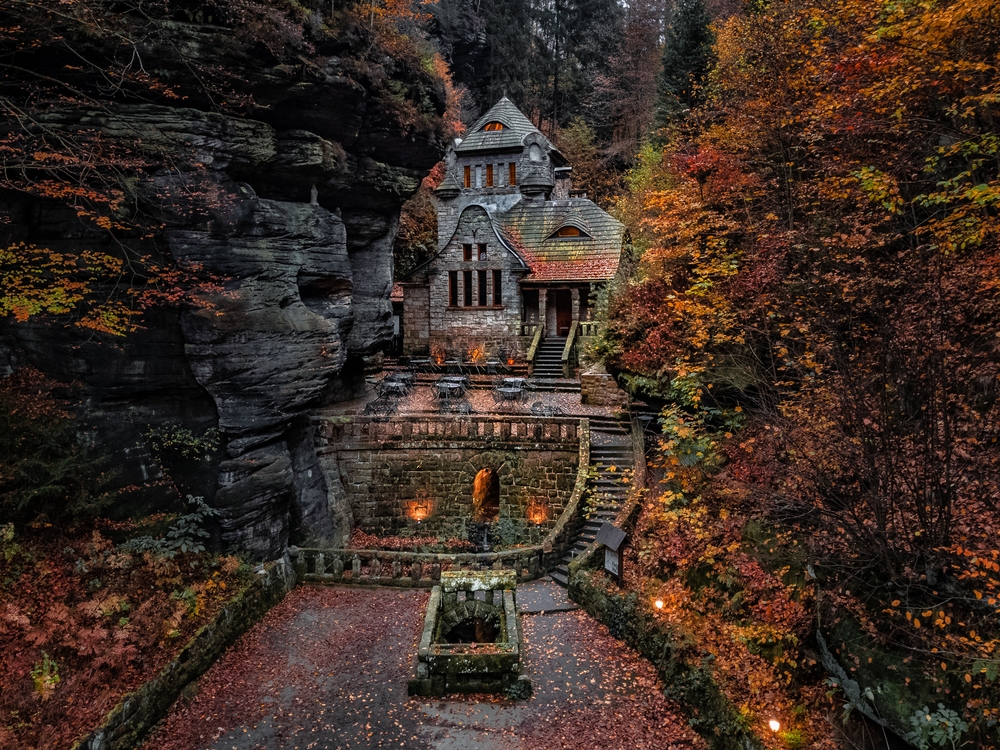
(610,447)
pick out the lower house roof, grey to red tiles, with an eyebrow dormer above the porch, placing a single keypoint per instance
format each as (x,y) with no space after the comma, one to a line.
(529,226)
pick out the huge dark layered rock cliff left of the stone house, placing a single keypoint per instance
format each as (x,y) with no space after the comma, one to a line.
(294,210)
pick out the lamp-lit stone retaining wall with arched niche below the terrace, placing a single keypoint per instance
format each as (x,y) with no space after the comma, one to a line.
(385,468)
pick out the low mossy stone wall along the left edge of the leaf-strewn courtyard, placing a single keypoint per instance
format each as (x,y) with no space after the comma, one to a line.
(138,712)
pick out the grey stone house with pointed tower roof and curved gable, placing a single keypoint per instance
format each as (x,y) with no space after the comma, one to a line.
(518,248)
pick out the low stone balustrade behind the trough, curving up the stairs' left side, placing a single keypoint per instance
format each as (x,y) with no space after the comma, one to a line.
(423,569)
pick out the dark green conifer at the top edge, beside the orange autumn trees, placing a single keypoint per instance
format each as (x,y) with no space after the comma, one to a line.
(687,56)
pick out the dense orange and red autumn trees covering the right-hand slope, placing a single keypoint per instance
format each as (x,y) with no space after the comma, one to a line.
(817,304)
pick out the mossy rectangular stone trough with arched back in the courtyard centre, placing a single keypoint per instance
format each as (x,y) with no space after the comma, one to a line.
(471,641)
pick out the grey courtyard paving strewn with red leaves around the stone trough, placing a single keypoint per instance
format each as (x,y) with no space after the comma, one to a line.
(327,669)
